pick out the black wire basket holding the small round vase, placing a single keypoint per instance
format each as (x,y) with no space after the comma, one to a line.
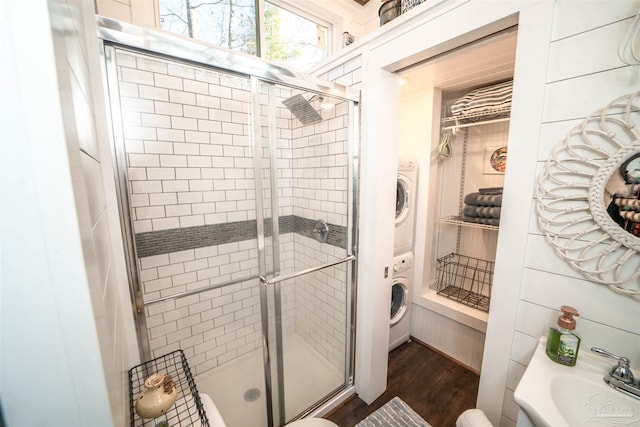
(187,409)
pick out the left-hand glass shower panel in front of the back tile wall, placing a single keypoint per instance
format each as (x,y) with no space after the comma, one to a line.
(186,179)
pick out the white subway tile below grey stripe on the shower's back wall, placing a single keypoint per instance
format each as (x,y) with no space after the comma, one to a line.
(213,326)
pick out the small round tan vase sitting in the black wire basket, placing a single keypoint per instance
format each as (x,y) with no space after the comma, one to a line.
(158,396)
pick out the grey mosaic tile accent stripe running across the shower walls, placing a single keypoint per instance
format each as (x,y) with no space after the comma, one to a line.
(179,239)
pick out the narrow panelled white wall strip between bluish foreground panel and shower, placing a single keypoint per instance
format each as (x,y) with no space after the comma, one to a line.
(94,191)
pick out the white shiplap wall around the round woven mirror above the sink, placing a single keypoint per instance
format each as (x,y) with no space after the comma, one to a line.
(583,75)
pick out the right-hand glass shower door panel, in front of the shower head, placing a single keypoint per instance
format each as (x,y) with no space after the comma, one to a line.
(305,163)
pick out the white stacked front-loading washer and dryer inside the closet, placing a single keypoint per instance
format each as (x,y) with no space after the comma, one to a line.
(402,283)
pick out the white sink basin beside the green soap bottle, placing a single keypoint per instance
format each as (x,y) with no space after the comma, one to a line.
(554,395)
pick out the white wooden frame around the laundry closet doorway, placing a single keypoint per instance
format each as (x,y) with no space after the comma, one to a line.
(424,32)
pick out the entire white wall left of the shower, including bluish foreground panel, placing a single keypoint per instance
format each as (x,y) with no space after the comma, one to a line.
(72,307)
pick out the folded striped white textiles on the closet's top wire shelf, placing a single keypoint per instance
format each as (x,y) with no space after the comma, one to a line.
(484,100)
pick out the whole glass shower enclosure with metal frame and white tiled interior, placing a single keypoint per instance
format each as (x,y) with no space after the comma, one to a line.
(237,199)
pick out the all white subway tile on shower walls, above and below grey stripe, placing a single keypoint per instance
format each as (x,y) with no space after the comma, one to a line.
(190,164)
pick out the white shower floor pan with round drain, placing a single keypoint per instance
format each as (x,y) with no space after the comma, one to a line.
(237,388)
